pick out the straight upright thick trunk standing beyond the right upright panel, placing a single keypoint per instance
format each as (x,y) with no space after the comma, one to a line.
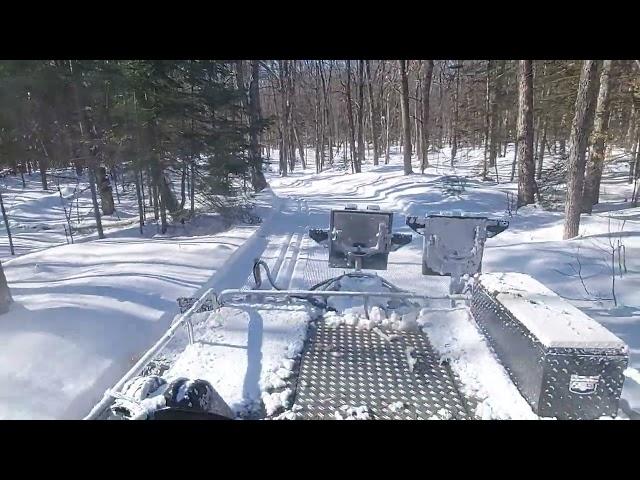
(526,173)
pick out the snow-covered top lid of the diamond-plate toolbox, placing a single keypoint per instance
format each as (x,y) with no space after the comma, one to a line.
(550,318)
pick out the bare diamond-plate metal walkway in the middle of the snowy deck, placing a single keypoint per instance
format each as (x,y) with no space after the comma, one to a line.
(345,366)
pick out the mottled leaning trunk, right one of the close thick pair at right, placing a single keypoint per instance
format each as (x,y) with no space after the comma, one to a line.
(591,193)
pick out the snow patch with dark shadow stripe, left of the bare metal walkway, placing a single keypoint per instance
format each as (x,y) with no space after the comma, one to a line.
(244,352)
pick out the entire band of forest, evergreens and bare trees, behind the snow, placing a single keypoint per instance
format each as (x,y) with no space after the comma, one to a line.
(213,124)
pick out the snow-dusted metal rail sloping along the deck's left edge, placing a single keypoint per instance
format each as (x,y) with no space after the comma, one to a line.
(183,320)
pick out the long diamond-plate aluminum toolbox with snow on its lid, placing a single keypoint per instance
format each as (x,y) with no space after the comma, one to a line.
(564,363)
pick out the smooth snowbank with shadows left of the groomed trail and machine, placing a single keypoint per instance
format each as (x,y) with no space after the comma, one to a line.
(84,313)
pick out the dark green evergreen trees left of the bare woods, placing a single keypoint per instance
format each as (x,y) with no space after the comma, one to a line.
(148,121)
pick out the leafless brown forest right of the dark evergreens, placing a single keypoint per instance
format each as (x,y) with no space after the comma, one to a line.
(563,117)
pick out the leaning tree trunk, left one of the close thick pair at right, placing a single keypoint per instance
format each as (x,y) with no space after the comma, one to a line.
(580,132)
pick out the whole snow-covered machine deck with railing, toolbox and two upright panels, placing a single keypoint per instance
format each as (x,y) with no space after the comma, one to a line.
(387,346)
